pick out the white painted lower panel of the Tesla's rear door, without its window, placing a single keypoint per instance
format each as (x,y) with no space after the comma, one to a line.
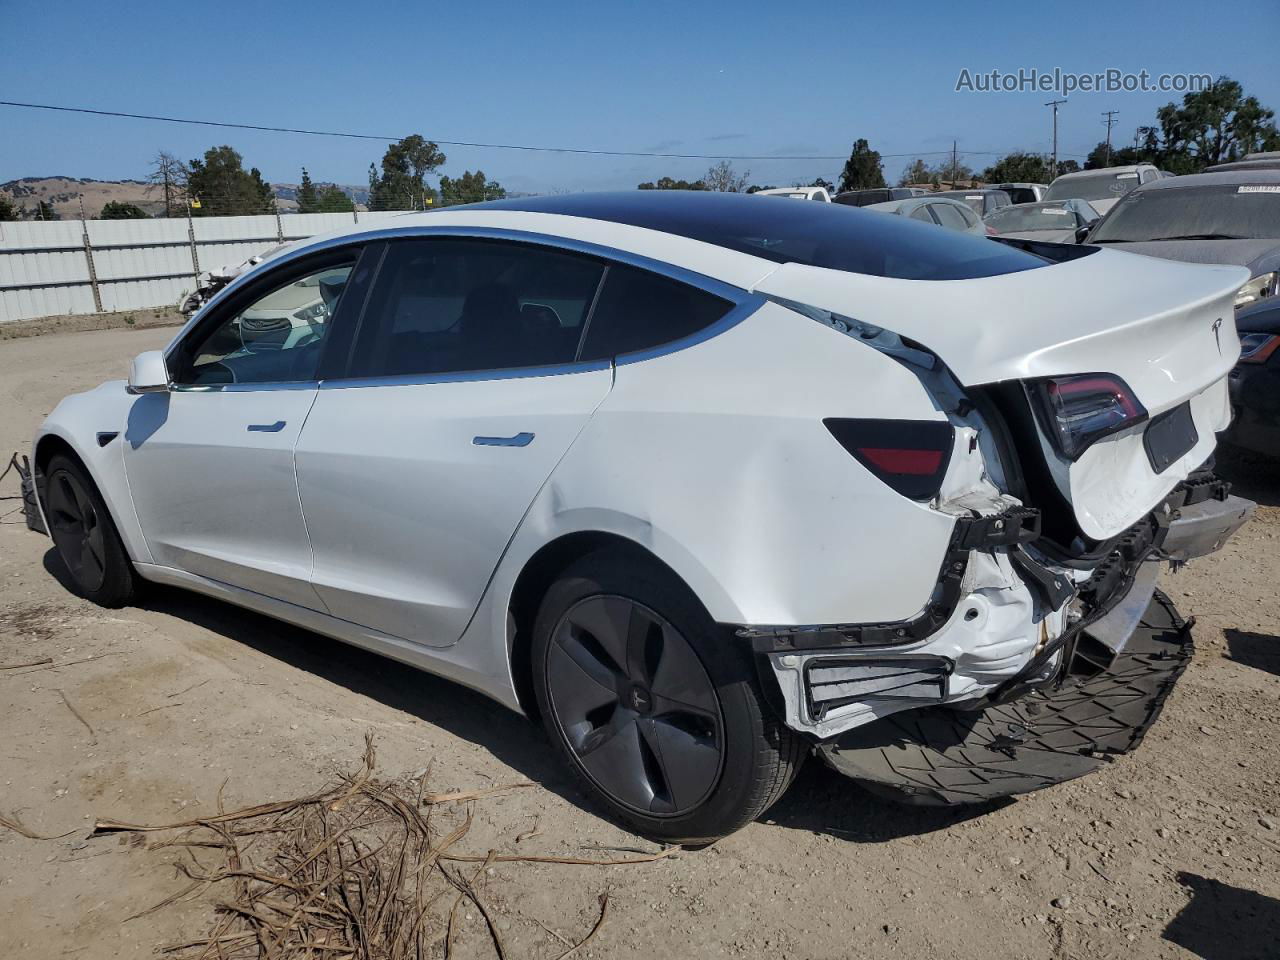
(446,472)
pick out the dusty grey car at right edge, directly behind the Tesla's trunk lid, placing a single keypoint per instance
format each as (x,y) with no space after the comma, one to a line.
(1209,218)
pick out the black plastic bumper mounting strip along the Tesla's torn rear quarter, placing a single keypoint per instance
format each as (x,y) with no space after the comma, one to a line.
(1016,527)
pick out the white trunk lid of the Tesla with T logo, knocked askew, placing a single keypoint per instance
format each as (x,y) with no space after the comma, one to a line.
(1165,328)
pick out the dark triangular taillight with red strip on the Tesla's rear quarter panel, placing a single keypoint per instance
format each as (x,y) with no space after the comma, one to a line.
(911,456)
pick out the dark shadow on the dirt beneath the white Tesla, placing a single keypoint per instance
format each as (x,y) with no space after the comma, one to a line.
(820,802)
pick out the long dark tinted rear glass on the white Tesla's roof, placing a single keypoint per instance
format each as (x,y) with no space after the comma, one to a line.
(816,235)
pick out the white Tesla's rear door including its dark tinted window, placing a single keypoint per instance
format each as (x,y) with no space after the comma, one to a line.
(464,392)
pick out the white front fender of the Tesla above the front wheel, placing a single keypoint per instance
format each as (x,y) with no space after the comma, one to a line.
(79,420)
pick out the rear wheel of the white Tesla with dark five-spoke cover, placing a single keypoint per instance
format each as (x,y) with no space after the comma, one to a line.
(653,706)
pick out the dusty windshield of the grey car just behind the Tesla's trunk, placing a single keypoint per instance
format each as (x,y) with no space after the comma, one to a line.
(1241,212)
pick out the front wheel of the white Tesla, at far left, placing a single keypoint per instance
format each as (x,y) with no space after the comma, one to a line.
(85,536)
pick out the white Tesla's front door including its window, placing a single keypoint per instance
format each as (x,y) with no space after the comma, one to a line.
(211,463)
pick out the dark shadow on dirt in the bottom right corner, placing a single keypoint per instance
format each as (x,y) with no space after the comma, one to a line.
(1223,922)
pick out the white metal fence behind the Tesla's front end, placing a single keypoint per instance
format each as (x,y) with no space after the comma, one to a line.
(88,267)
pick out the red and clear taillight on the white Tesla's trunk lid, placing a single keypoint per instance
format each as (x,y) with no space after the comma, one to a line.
(1078,412)
